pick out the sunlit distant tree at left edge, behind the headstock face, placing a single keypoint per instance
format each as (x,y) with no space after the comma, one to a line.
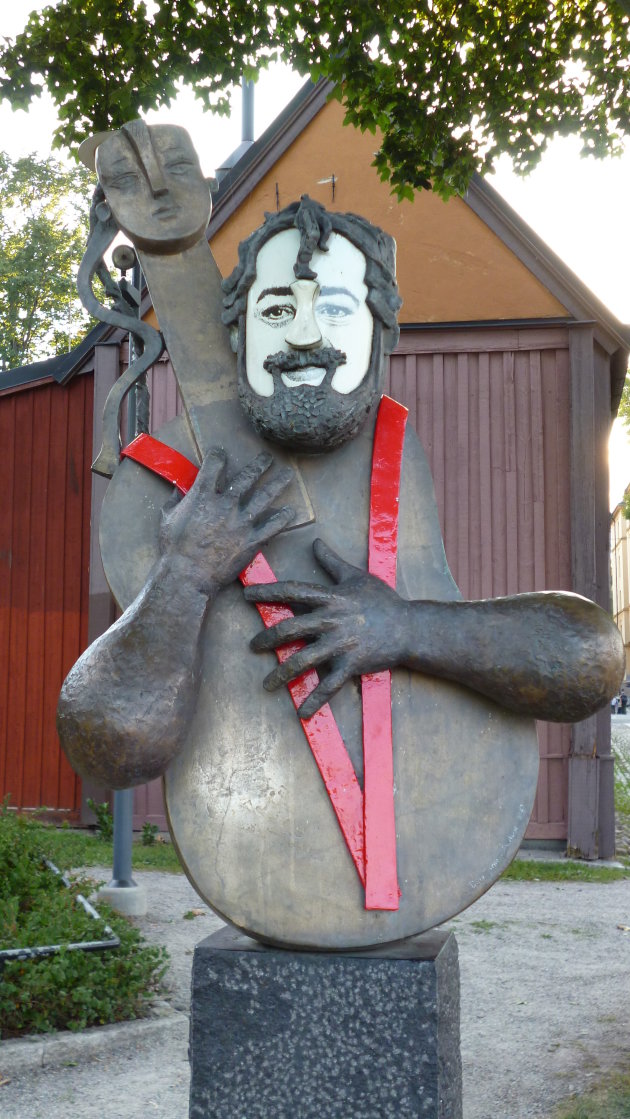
(43,230)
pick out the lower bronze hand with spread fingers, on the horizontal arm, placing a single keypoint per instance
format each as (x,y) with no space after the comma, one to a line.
(356,627)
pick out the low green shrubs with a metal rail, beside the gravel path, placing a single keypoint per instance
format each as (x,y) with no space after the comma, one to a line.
(71,990)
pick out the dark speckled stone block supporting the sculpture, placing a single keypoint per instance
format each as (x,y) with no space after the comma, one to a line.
(279,1035)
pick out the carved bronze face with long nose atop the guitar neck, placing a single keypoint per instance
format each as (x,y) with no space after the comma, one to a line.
(154,186)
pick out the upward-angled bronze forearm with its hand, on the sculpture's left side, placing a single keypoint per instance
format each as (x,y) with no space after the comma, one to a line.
(125,708)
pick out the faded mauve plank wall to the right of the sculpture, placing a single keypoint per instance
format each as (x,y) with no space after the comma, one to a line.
(492,410)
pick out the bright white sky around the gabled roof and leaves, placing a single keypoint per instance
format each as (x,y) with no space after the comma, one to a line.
(580,208)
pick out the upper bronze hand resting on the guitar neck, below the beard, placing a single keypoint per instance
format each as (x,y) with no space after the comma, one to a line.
(220,525)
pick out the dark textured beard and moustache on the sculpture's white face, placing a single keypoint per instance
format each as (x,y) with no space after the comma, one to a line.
(312,418)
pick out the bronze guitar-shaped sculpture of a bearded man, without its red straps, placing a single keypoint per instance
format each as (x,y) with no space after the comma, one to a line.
(249,812)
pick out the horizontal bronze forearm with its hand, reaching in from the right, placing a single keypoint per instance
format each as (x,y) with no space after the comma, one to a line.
(550,655)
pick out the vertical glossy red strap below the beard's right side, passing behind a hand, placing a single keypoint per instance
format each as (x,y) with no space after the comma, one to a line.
(382,889)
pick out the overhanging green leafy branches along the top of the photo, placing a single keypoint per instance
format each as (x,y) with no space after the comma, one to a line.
(448,86)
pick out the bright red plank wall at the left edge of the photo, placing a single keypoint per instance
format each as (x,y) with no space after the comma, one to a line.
(46,439)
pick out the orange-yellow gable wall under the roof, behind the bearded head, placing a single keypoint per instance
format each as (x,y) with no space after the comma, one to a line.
(452,267)
